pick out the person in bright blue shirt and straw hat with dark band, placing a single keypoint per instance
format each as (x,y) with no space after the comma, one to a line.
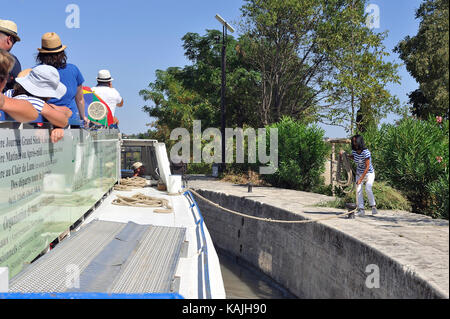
(52,52)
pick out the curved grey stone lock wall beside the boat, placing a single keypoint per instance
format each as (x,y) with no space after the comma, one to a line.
(310,260)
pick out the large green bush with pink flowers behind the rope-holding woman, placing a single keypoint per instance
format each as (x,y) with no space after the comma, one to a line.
(412,157)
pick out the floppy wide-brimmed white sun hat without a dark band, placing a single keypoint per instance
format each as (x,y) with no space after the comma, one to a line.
(43,81)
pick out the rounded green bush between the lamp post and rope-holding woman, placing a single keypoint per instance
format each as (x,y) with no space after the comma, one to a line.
(302,153)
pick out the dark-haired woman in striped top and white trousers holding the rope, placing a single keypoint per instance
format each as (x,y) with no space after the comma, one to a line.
(364,173)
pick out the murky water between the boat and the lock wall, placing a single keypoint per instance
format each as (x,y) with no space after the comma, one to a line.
(243,282)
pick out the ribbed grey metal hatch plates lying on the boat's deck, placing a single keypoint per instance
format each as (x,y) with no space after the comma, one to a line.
(110,257)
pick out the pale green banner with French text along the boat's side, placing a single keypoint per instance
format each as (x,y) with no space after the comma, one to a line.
(46,187)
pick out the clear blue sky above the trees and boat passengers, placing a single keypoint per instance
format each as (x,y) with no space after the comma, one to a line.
(135,38)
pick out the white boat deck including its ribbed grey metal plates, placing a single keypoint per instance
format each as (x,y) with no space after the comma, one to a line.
(132,250)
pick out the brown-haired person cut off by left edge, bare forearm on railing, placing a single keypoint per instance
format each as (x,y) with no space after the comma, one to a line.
(20,110)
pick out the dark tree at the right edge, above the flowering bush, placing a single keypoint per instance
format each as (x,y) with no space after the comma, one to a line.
(426,56)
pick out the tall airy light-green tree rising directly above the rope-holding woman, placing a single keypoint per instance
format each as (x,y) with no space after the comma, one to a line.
(358,96)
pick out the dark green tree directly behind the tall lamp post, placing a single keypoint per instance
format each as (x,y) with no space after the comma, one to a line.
(204,76)
